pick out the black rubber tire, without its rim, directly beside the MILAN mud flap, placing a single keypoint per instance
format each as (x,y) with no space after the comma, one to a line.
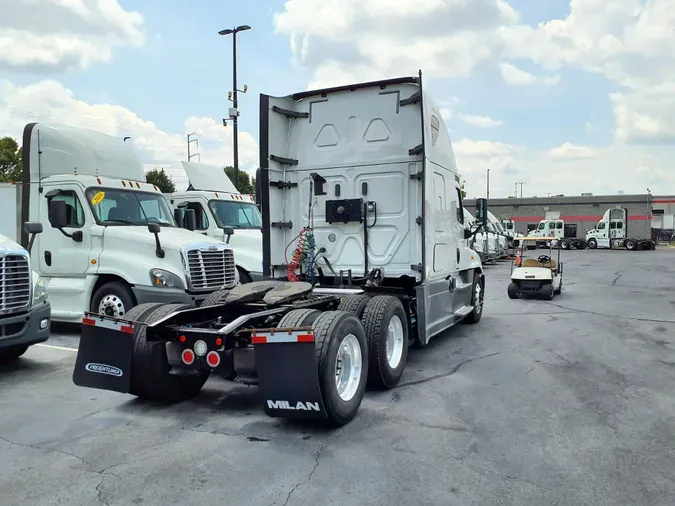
(330,328)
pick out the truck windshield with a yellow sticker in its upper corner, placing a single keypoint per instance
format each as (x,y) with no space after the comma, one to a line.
(128,207)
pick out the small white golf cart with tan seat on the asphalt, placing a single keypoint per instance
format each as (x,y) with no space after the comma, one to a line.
(535,276)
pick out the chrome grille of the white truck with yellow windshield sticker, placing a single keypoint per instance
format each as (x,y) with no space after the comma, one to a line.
(211,269)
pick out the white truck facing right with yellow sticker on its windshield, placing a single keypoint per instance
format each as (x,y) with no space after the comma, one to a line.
(110,241)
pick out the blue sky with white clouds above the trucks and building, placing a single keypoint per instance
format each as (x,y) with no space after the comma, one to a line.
(567,96)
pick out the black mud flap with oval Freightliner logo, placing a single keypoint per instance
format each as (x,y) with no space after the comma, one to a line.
(104,354)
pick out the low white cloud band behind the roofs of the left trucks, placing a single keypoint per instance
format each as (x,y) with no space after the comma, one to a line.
(49,101)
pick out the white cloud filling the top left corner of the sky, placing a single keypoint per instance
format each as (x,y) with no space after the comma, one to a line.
(60,34)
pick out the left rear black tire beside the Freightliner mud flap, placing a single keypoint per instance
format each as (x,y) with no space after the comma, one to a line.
(150,378)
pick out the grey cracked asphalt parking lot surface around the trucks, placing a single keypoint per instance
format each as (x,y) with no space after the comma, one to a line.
(563,402)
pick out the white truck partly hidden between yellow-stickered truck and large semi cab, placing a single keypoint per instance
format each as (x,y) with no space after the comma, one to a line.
(223,213)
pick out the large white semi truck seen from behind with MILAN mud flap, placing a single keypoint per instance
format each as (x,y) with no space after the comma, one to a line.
(364,245)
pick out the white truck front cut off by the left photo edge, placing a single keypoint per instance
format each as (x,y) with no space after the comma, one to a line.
(25,313)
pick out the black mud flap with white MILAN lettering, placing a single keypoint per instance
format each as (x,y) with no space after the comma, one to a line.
(288,376)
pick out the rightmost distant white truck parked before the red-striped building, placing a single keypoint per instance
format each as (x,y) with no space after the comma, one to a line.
(615,231)
